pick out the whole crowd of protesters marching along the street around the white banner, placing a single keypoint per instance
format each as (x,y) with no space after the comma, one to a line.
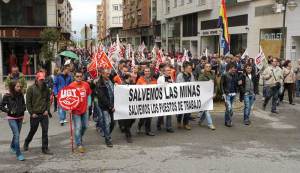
(233,76)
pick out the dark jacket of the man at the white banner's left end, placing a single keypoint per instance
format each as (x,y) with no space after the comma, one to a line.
(102,92)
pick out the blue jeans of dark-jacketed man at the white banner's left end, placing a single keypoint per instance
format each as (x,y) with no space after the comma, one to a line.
(106,122)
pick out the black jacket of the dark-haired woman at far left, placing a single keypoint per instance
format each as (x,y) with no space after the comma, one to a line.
(13,105)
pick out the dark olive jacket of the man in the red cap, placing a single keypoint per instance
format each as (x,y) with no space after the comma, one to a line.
(38,99)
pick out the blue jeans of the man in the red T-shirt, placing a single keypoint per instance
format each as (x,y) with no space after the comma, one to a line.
(80,123)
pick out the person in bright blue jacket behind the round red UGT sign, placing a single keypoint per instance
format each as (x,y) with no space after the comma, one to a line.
(60,81)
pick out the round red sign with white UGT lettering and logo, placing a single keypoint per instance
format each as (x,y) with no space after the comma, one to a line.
(68,98)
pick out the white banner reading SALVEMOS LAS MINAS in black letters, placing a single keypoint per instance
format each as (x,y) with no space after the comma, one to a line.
(141,101)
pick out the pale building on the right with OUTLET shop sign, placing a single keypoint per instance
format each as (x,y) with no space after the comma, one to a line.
(193,24)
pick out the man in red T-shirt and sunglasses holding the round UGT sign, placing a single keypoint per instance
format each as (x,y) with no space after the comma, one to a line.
(79,115)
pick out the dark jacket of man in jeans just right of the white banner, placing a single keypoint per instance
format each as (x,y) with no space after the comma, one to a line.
(229,83)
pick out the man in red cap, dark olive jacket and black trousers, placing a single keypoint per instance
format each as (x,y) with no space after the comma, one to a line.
(38,104)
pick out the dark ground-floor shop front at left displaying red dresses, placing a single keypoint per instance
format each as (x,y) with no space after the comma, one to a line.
(21,47)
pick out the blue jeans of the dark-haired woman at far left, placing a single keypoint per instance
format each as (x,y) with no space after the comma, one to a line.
(16,126)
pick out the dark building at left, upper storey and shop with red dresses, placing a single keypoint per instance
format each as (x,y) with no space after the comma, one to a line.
(21,23)
